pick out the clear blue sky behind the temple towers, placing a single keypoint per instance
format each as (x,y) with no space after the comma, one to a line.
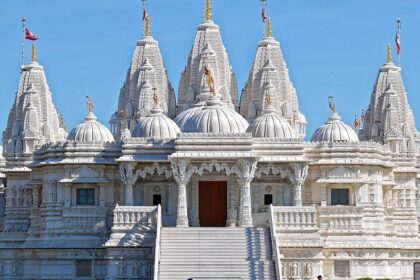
(331,47)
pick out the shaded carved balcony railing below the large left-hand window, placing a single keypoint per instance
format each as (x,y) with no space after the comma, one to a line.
(84,218)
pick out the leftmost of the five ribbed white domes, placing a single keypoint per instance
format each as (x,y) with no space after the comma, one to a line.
(90,131)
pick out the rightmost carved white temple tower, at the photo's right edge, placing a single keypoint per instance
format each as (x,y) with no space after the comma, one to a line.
(389,118)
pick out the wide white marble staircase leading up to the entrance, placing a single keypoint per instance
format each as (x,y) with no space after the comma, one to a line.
(216,253)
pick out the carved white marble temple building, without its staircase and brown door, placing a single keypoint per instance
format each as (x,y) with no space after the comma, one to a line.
(345,204)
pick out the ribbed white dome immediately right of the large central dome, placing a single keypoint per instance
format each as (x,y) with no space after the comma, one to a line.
(271,125)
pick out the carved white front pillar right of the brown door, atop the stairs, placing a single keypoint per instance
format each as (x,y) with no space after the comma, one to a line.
(245,177)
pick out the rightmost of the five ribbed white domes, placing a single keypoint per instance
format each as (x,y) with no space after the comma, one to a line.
(334,131)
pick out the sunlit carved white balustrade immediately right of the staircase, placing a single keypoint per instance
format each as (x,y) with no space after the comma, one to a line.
(291,218)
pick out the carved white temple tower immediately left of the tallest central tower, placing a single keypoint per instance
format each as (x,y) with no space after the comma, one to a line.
(146,73)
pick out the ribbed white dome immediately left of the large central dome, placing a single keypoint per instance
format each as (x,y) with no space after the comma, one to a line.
(156,125)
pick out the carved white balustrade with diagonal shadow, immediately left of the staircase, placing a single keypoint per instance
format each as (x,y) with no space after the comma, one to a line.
(134,226)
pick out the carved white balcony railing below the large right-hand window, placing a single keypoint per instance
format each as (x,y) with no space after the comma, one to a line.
(340,218)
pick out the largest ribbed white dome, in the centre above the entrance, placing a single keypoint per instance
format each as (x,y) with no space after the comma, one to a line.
(213,118)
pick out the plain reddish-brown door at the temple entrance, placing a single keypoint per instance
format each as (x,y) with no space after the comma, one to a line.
(212,203)
